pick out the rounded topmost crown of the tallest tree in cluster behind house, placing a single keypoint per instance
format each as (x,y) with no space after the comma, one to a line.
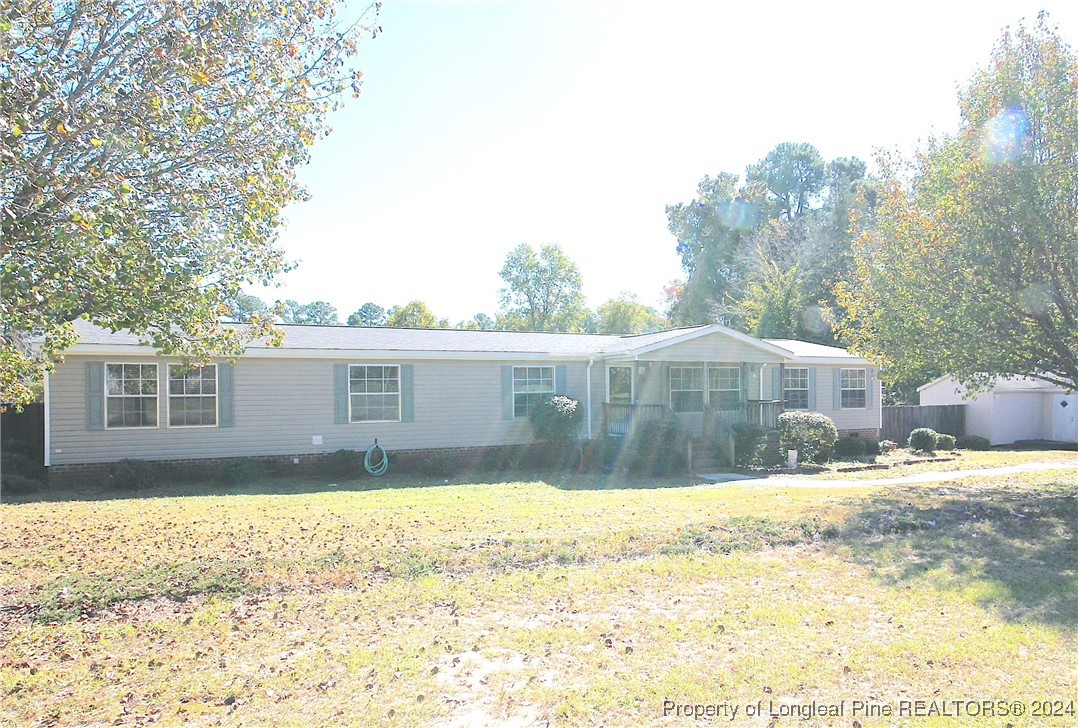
(794,174)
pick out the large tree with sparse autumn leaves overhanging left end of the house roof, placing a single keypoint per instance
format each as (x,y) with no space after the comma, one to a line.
(146,153)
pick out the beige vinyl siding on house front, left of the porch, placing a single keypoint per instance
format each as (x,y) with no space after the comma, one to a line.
(282,403)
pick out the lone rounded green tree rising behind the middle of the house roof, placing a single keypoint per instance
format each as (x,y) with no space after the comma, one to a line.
(543,292)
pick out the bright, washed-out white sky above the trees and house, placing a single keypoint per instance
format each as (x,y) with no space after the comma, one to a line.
(486,126)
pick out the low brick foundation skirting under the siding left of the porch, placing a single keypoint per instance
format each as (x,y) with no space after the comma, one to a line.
(430,462)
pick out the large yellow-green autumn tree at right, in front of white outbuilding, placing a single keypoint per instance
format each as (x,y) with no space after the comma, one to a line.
(970,268)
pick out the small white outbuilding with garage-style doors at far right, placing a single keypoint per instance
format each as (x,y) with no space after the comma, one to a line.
(1014,409)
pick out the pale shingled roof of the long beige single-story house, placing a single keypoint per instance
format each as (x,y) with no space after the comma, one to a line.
(301,339)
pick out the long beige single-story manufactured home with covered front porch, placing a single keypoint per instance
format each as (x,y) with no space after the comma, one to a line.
(331,388)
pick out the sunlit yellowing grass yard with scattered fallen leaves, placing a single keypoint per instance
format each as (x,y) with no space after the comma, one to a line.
(569,602)
